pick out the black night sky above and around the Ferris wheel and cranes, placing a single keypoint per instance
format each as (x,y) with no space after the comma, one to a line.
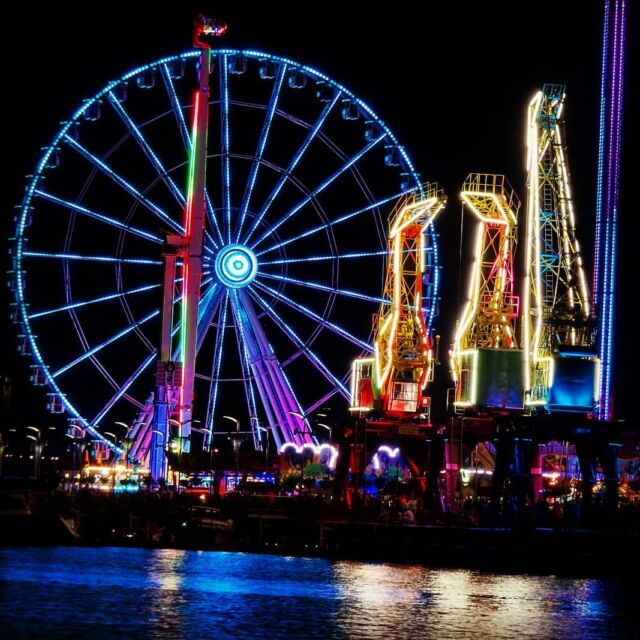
(452,86)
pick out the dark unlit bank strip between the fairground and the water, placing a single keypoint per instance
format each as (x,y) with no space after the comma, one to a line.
(309,527)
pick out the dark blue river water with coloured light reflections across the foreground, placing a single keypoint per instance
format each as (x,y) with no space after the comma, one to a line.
(138,593)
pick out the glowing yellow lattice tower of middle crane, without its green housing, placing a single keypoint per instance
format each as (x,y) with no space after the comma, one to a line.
(489,317)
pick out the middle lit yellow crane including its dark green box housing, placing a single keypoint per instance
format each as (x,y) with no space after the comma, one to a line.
(485,359)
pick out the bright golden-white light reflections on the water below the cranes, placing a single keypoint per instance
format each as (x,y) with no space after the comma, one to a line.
(378,600)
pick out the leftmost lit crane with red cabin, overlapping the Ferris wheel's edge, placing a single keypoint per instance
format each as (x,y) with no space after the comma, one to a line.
(389,399)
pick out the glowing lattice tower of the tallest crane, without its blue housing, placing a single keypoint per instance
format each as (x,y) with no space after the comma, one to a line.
(557,306)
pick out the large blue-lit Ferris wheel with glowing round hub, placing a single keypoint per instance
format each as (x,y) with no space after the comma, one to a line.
(301,175)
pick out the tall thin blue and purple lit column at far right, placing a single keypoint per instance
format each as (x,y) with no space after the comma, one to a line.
(609,146)
